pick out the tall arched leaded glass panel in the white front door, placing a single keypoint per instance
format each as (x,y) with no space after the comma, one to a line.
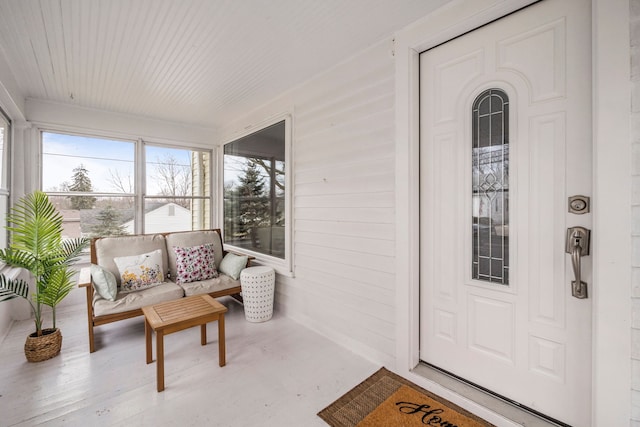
(490,190)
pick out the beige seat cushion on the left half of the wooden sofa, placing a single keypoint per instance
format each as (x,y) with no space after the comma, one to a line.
(166,291)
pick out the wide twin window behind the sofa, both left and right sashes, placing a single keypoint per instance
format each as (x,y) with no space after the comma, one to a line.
(97,184)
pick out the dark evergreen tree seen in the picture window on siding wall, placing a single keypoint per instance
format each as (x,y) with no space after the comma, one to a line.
(253,205)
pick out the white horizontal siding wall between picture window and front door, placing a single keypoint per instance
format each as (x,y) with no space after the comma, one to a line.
(343,203)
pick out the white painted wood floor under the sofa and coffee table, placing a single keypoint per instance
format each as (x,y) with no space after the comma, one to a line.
(278,373)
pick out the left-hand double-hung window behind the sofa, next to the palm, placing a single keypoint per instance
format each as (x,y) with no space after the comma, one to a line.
(91,183)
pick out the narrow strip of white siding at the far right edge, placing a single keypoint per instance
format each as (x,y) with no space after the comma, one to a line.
(635,209)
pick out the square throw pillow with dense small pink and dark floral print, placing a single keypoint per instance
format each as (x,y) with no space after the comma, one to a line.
(195,263)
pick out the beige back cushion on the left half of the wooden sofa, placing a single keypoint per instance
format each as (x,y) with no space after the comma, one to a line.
(108,248)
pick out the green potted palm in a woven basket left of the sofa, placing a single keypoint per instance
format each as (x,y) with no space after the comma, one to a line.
(37,245)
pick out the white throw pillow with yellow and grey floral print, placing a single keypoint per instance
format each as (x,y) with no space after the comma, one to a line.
(139,272)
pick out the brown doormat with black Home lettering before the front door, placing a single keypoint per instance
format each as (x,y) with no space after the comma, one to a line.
(386,399)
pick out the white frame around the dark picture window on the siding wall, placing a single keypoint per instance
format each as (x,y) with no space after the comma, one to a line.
(281,265)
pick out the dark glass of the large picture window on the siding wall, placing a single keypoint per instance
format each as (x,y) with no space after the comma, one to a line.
(255,193)
